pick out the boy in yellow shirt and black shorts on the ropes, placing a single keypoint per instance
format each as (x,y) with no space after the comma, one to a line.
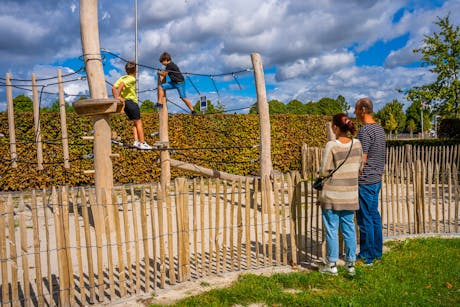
(125,91)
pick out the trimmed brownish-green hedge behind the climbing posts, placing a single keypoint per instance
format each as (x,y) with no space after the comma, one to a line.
(229,139)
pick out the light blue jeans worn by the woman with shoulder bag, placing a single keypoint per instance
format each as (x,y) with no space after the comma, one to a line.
(332,220)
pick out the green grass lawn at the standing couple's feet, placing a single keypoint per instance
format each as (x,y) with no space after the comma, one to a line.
(415,272)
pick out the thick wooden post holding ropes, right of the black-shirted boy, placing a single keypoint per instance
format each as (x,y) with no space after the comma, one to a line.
(266,165)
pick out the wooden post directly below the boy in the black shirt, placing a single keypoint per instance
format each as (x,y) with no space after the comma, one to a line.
(165,162)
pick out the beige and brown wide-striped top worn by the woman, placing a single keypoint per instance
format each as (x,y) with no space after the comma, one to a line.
(340,192)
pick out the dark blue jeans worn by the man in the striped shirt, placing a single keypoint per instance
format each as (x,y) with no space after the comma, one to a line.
(369,222)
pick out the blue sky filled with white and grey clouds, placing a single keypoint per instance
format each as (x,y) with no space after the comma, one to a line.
(310,49)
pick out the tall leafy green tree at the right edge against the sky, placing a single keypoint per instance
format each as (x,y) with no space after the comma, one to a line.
(441,54)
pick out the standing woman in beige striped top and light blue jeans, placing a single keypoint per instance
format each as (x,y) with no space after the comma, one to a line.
(339,197)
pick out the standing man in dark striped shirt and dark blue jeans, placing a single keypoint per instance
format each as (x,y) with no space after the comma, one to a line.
(372,137)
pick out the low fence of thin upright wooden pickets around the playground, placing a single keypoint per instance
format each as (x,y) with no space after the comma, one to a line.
(53,252)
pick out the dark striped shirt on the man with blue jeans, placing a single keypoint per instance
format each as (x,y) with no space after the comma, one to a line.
(372,137)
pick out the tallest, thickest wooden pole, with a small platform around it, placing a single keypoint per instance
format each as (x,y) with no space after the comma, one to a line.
(96,83)
